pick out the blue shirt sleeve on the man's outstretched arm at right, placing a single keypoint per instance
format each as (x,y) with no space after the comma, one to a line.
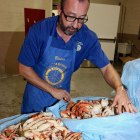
(97,56)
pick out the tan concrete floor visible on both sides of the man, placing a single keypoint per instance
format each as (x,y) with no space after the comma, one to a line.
(85,82)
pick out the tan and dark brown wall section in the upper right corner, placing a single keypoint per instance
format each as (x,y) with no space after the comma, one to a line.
(130,25)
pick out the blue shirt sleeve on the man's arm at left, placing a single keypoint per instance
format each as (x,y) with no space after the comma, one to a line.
(29,52)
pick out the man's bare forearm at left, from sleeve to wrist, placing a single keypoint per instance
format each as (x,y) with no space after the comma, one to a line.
(31,76)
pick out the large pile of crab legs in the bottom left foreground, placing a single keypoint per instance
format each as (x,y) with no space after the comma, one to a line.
(41,126)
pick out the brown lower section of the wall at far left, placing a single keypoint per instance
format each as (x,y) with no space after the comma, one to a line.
(10,43)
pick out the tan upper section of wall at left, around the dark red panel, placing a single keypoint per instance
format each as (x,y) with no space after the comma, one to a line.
(12,12)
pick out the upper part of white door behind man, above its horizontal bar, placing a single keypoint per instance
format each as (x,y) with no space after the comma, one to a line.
(103,19)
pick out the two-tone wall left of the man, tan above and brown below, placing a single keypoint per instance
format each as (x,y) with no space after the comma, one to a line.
(12,30)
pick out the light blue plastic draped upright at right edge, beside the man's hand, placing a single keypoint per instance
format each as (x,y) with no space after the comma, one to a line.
(131,78)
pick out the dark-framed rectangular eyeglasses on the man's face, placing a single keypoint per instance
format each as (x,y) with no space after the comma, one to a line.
(72,19)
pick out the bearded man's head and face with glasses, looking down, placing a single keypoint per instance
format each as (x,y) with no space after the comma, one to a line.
(72,9)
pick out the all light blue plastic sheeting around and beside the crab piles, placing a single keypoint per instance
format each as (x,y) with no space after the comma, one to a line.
(125,126)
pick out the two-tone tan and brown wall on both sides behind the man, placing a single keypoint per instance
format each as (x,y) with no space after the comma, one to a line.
(12,27)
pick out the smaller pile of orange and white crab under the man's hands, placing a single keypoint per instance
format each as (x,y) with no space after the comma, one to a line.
(83,109)
